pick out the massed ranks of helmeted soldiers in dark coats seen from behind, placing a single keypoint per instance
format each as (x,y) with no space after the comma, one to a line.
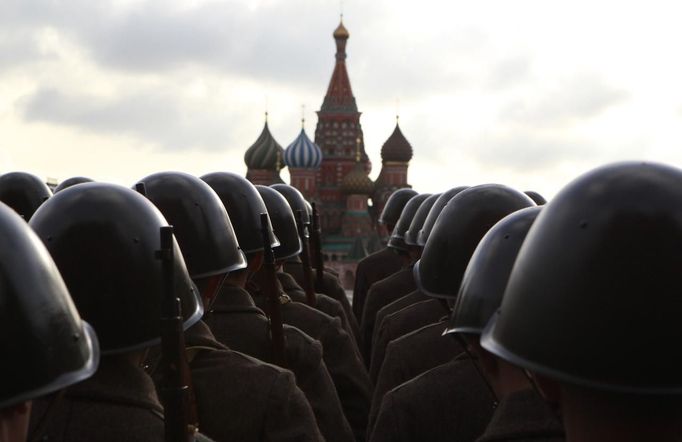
(489,316)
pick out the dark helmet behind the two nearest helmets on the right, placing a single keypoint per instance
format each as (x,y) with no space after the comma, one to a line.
(459,228)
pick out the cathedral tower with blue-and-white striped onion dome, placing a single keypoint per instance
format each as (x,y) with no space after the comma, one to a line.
(303,158)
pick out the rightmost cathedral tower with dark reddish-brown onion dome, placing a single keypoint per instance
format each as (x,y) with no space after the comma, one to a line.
(396,154)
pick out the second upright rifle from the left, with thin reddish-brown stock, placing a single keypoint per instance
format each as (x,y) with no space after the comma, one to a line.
(271,290)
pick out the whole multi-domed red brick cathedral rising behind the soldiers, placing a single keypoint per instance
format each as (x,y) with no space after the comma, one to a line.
(334,171)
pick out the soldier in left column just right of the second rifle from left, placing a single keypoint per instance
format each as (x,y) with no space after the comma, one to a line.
(340,354)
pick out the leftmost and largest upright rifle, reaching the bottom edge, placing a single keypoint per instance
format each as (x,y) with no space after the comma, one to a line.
(180,417)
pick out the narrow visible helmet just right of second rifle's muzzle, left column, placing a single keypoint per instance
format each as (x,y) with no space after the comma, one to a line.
(283,223)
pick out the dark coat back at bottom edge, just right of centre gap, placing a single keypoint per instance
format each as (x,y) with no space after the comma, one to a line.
(450,402)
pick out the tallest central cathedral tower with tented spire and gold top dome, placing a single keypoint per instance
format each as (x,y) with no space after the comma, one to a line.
(338,128)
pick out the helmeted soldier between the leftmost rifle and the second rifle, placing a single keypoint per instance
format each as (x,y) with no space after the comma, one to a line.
(229,385)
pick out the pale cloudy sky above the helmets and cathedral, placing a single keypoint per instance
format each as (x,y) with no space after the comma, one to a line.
(527,93)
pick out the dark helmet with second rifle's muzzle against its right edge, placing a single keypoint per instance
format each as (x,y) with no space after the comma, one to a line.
(244,205)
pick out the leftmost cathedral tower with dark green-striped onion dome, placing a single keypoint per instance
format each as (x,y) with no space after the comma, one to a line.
(264,158)
